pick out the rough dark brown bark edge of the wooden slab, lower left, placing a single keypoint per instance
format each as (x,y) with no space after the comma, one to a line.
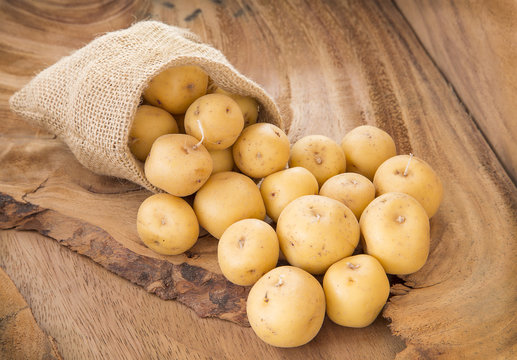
(208,294)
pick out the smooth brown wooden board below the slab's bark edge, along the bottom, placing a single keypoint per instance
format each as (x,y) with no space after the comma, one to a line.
(95,314)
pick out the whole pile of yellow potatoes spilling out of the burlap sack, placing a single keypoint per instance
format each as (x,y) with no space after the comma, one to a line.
(324,198)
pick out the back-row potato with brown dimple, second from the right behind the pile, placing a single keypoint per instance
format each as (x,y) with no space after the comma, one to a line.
(322,156)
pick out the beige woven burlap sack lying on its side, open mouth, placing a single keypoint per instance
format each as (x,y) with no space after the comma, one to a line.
(89,98)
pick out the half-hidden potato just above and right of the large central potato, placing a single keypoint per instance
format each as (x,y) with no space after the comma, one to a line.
(353,190)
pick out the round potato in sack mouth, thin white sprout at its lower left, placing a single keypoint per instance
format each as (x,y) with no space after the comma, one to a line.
(216,120)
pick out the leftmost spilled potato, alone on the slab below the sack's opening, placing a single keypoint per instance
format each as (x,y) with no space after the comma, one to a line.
(167,224)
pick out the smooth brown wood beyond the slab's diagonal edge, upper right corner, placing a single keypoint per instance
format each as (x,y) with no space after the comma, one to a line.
(474,43)
